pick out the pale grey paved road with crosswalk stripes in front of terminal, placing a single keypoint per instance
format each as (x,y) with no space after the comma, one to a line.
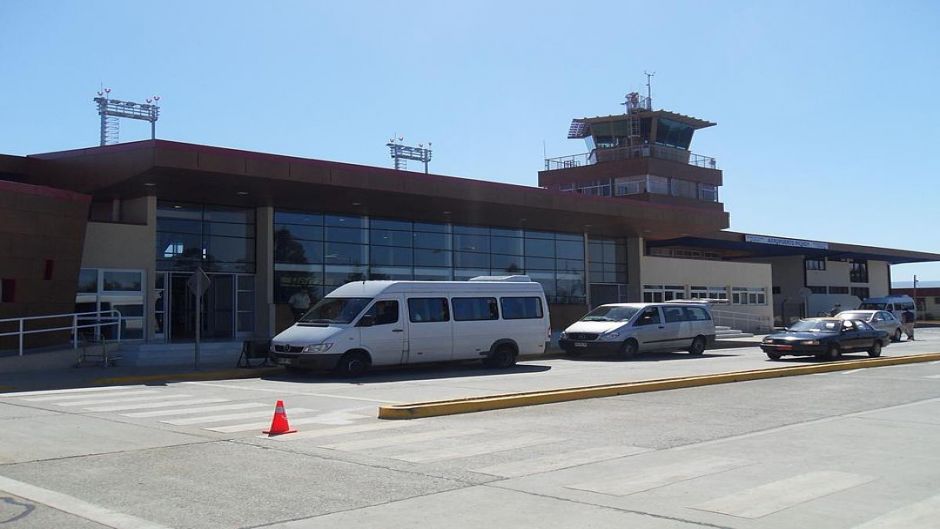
(855,448)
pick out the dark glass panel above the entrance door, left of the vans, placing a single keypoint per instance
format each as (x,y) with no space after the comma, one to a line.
(220,239)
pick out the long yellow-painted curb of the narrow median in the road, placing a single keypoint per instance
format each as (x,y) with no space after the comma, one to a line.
(514,400)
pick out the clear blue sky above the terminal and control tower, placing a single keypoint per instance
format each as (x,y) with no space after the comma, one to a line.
(827,112)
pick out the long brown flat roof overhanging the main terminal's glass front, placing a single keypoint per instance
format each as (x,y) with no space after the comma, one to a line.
(184,172)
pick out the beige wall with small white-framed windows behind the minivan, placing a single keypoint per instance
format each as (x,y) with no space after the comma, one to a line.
(688,272)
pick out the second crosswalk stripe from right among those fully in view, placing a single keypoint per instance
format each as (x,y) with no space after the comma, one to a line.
(661,476)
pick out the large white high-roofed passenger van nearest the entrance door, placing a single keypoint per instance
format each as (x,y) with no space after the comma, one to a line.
(383,323)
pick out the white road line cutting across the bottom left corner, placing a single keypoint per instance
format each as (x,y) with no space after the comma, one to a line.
(75,506)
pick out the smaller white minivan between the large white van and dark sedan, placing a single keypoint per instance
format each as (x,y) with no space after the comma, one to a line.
(629,328)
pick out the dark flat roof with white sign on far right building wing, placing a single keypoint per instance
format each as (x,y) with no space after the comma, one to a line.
(757,245)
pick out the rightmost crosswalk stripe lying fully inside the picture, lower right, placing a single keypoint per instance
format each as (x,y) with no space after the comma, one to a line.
(779,495)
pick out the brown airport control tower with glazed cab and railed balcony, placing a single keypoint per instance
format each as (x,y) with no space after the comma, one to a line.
(642,154)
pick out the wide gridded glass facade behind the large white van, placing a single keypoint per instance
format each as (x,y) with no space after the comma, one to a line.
(316,253)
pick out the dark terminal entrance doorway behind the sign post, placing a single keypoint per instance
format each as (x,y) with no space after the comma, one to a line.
(218,309)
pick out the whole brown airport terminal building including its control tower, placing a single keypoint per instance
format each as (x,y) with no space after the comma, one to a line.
(636,218)
